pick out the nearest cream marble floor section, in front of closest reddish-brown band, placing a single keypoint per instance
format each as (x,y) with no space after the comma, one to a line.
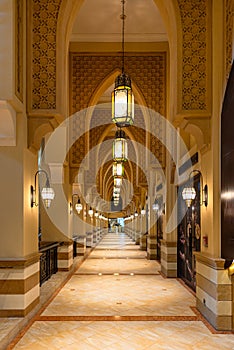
(123,335)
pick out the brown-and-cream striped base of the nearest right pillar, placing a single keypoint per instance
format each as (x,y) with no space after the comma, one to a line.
(214,294)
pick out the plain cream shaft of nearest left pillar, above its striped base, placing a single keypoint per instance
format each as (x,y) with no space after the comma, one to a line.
(18,232)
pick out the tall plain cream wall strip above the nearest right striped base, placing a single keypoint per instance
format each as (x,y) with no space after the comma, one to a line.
(210,160)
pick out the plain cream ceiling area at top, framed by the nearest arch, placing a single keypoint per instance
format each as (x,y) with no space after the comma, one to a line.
(99,21)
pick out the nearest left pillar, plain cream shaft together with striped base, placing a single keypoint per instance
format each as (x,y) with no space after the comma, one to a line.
(19,258)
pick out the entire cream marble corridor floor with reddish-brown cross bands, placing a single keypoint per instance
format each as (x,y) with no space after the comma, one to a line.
(117,299)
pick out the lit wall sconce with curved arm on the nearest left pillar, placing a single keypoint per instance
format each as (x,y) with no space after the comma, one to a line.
(47,193)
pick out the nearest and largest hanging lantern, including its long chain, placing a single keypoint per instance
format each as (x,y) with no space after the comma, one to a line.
(122,96)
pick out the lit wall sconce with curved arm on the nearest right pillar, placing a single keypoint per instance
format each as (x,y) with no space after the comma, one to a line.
(189,193)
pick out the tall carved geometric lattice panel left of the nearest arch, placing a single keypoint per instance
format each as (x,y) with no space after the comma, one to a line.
(44,26)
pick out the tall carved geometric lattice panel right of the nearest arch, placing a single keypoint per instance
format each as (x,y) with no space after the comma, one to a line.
(195,36)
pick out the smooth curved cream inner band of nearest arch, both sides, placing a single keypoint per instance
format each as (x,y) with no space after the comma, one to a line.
(69,11)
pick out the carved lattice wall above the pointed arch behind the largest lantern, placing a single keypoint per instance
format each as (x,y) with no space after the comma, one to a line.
(147,72)
